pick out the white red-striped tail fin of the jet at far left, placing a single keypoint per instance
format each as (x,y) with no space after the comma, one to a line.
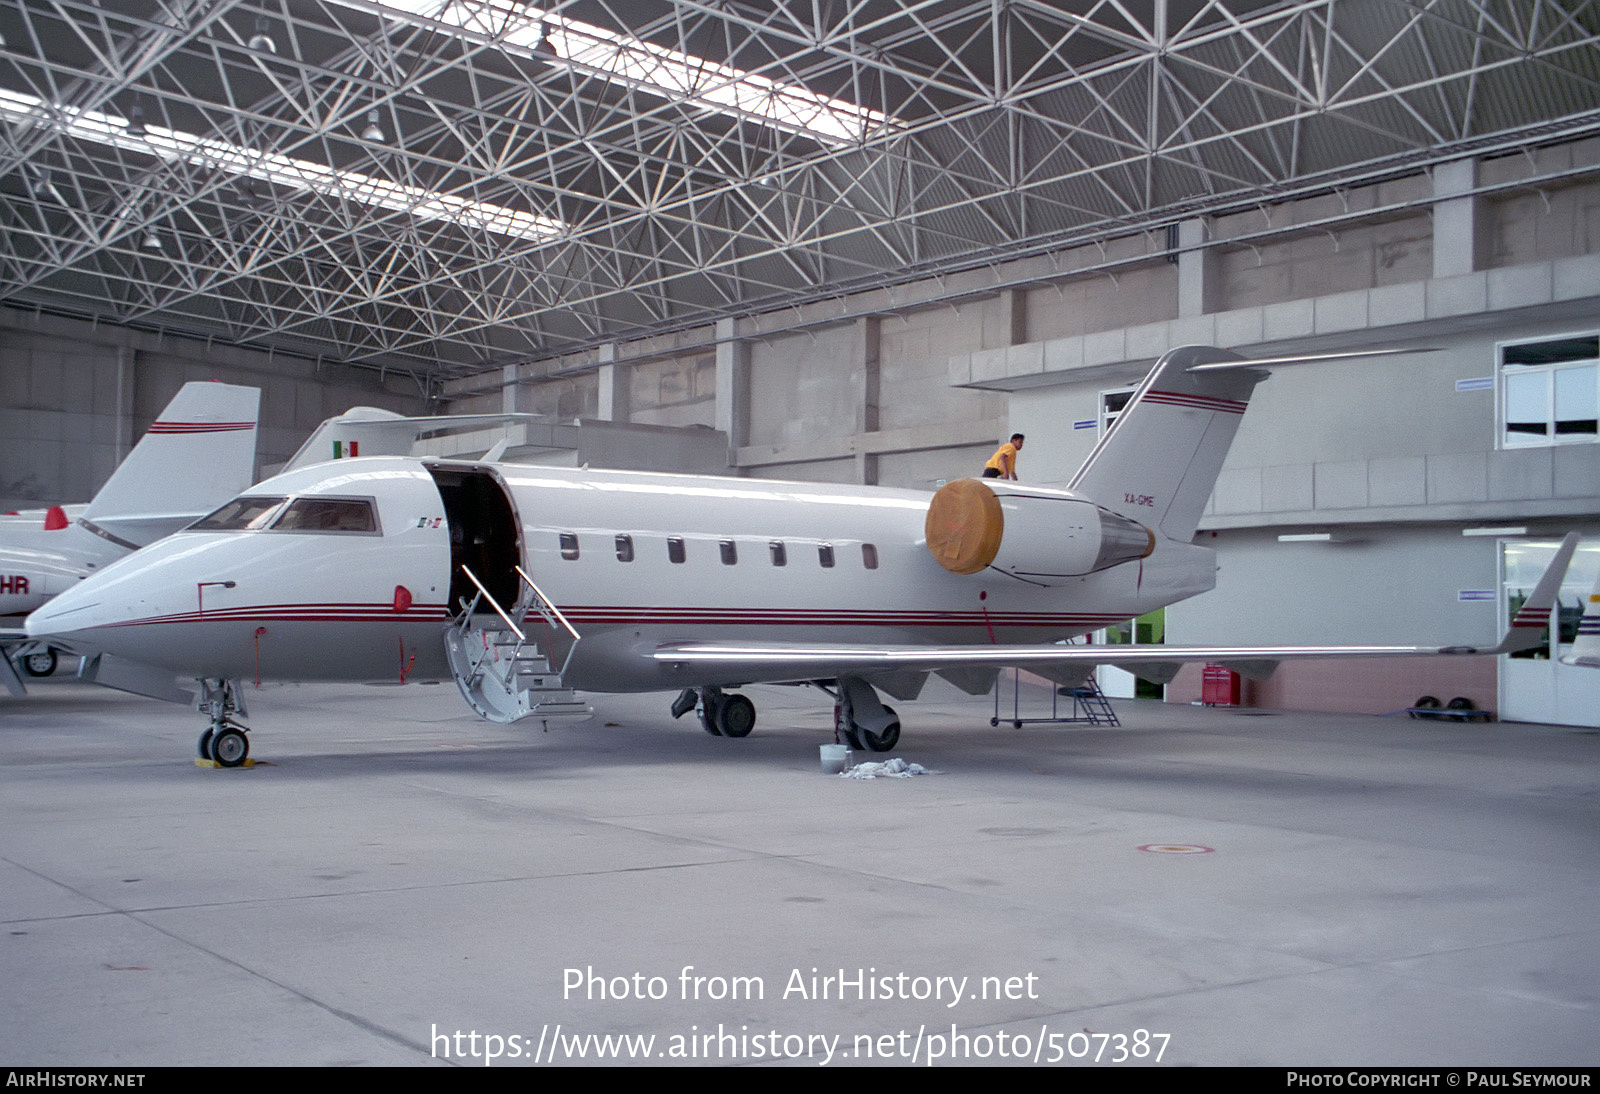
(198,455)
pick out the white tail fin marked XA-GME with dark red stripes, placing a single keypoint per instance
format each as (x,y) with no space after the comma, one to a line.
(1161,458)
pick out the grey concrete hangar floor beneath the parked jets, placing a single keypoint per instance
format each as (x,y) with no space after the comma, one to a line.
(1377,890)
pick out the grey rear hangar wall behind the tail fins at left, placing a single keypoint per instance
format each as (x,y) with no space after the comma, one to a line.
(76,397)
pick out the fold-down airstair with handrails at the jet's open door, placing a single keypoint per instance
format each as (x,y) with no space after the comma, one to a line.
(502,674)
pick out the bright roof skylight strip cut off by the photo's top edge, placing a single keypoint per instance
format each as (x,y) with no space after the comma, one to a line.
(657,70)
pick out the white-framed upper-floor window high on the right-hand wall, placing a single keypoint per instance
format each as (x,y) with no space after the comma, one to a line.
(1550,393)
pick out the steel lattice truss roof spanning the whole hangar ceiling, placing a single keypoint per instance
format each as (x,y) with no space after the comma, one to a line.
(524,202)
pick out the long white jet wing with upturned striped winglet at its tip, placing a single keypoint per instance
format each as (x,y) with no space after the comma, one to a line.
(783,663)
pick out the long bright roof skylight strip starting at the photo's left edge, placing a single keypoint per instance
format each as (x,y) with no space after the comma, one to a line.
(279,170)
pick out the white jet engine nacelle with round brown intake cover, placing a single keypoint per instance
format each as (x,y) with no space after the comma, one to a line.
(1036,535)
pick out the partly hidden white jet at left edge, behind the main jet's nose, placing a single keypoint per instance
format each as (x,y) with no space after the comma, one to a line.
(199,453)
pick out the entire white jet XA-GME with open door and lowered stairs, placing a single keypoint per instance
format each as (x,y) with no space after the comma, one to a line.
(526,581)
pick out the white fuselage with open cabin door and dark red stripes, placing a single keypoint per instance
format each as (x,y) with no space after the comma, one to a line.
(305,588)
